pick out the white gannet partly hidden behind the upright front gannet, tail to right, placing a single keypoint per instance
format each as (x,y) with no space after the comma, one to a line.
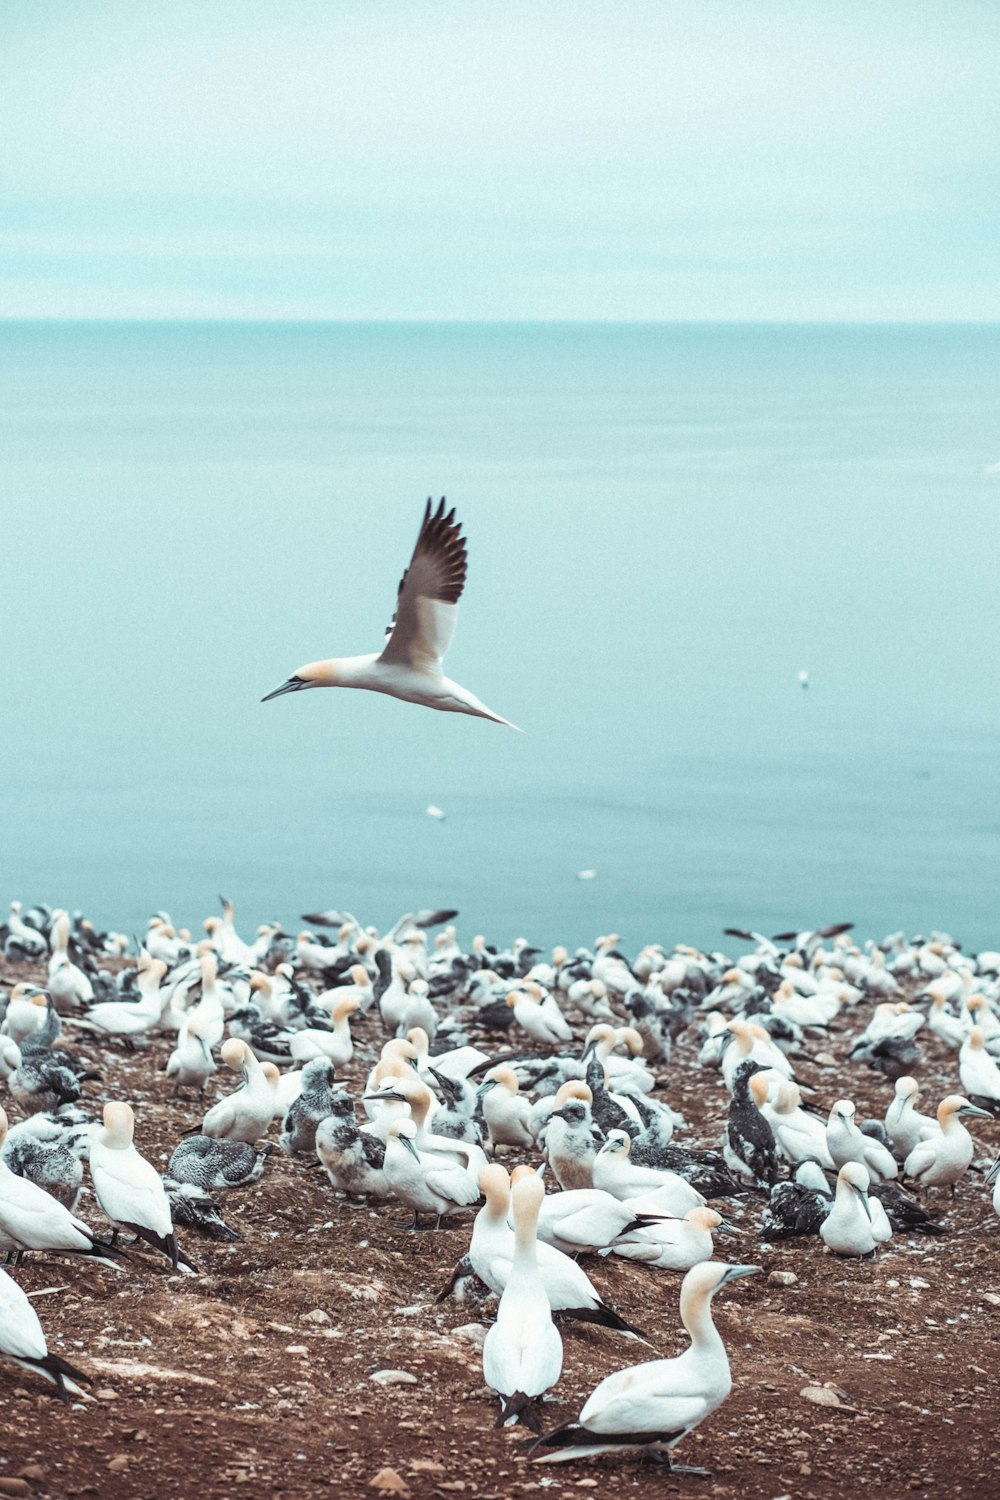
(569,1289)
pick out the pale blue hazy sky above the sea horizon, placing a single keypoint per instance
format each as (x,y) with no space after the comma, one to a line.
(455,160)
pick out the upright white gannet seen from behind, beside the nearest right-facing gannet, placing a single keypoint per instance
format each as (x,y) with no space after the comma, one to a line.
(522,1354)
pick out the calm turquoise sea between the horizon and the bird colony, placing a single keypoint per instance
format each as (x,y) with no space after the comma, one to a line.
(665,526)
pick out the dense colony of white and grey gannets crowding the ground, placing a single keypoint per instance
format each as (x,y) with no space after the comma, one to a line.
(525,1100)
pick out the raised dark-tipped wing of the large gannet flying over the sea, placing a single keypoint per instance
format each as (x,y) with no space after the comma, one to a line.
(428,602)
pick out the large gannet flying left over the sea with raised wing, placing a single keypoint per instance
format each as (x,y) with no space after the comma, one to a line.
(419,634)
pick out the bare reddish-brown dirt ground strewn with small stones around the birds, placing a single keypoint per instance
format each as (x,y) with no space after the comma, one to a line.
(230,1379)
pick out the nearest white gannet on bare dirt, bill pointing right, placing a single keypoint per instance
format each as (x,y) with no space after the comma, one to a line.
(653,1406)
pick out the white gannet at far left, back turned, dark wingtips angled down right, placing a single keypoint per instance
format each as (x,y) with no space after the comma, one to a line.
(128,1189)
